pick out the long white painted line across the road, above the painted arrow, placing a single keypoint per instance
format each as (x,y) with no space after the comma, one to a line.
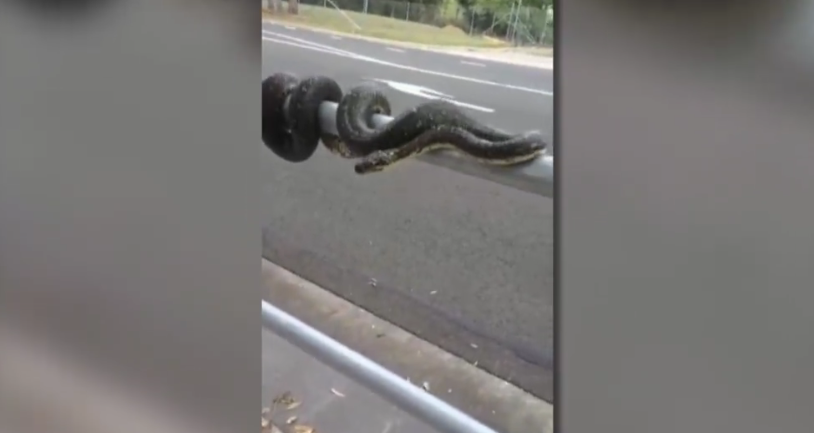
(302,43)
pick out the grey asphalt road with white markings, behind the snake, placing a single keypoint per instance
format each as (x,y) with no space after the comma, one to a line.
(462,262)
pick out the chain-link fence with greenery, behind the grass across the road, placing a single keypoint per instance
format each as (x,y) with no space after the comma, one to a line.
(509,21)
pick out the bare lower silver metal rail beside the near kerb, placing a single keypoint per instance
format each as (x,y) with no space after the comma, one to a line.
(374,377)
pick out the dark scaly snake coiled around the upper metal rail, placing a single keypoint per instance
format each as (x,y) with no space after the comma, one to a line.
(291,127)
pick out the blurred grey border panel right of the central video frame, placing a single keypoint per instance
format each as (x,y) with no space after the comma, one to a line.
(685,218)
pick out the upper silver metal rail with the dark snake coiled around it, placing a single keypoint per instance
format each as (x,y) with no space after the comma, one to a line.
(536,177)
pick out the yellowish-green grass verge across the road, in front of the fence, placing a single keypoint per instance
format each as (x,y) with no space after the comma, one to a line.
(376,26)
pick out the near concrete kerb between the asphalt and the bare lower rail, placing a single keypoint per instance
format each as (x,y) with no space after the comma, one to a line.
(493,401)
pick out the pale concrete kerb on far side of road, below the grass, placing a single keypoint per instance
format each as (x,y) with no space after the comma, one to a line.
(472,53)
